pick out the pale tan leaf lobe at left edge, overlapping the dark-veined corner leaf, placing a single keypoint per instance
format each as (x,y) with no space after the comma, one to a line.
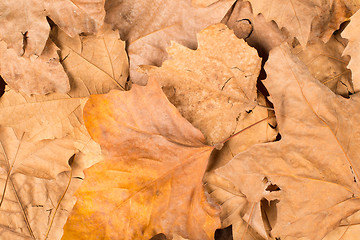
(42,159)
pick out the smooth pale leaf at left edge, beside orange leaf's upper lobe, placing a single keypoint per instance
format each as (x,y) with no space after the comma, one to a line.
(41,117)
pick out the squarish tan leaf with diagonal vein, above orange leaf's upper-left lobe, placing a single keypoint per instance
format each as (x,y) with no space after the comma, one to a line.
(95,64)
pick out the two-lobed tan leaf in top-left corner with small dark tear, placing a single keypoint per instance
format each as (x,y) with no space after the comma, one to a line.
(23,24)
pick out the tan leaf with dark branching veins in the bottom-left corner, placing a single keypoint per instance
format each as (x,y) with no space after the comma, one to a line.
(30,207)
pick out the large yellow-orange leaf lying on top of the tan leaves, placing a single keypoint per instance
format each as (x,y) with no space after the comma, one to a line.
(151,178)
